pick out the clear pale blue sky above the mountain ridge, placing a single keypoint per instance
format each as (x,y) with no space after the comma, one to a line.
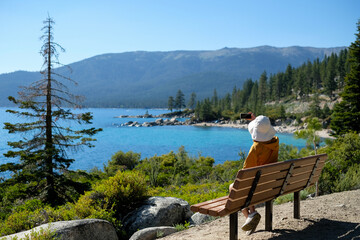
(89,28)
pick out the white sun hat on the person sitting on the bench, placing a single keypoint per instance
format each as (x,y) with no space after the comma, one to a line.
(261,130)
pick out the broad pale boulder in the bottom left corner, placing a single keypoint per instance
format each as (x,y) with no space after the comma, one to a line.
(85,229)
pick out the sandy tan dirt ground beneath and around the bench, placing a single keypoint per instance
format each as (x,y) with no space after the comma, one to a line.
(334,216)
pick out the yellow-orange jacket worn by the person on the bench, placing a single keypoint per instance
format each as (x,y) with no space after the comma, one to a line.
(262,153)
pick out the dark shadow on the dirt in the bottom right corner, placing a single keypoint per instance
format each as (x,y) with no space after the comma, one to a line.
(323,229)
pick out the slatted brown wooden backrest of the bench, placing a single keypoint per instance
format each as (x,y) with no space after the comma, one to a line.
(264,183)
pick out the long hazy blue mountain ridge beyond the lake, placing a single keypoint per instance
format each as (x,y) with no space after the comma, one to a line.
(147,79)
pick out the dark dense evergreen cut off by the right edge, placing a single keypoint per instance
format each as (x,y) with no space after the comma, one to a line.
(346,116)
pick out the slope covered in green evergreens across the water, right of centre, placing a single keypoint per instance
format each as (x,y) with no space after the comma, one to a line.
(307,84)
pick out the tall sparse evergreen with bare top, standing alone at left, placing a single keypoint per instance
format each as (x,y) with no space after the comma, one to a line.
(42,159)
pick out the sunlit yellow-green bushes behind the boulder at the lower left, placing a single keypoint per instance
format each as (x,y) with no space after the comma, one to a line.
(109,200)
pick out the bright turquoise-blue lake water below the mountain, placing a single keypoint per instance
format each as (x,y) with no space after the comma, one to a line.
(218,142)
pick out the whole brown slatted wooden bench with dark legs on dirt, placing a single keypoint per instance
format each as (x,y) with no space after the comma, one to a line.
(263,184)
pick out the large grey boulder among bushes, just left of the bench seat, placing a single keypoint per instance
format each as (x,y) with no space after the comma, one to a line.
(157,211)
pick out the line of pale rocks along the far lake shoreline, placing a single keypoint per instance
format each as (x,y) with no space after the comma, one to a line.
(289,126)
